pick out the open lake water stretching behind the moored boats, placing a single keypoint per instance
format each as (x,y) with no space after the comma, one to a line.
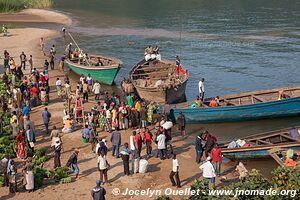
(236,45)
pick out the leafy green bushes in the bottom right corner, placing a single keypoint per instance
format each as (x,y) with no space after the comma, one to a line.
(284,178)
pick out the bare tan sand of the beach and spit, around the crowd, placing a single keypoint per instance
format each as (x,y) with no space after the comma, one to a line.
(27,40)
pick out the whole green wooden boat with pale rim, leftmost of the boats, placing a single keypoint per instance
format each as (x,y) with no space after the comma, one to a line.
(103,69)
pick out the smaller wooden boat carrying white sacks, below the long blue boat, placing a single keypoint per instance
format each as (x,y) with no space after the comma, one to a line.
(261,144)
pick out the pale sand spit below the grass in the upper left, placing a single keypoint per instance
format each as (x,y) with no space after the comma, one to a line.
(37,16)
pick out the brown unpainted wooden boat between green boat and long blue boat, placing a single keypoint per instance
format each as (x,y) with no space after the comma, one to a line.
(172,90)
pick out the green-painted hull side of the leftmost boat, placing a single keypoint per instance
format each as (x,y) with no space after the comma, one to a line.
(105,76)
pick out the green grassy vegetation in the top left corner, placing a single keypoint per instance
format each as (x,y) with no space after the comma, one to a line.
(17,5)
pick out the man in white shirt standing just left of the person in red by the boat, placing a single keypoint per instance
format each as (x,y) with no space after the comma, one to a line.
(208,172)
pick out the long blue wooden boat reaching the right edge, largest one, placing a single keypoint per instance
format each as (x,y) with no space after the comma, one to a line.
(244,106)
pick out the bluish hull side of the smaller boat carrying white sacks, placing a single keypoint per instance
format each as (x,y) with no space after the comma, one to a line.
(252,153)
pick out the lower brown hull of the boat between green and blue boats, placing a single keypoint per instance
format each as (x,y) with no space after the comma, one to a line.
(170,95)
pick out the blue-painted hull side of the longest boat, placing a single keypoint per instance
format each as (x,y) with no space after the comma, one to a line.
(281,108)
